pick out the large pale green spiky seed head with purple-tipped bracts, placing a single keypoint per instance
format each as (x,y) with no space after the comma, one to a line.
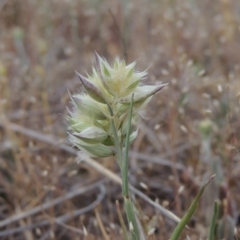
(108,94)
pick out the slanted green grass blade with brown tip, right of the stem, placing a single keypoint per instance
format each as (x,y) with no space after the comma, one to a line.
(178,230)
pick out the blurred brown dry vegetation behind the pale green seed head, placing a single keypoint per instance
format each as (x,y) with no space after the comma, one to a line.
(193,45)
